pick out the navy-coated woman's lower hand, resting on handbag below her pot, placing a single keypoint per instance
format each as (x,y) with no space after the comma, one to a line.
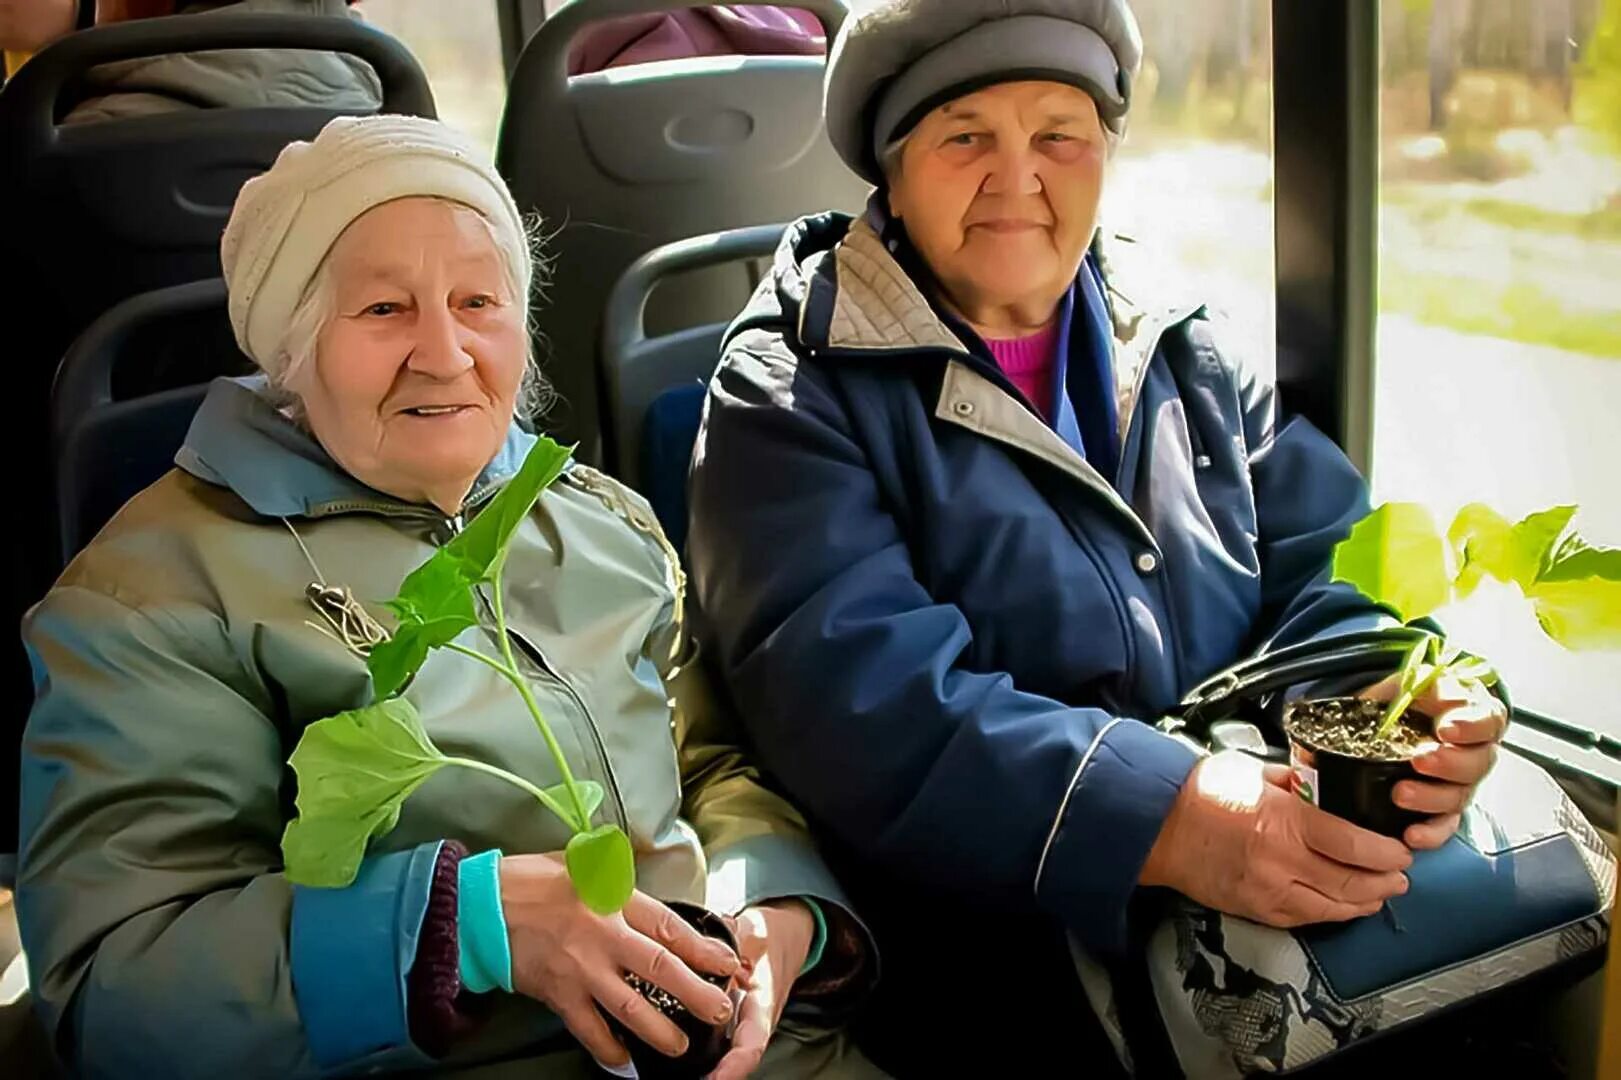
(1239,841)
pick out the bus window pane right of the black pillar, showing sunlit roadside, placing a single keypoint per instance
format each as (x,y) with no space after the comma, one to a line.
(1500,319)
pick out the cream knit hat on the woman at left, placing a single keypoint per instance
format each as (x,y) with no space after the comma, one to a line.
(288,220)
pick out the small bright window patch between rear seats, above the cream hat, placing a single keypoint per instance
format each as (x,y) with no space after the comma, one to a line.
(460,48)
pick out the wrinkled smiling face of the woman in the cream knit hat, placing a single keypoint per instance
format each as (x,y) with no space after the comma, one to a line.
(417,372)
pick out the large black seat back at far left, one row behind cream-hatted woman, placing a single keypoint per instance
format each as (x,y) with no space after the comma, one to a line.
(101,212)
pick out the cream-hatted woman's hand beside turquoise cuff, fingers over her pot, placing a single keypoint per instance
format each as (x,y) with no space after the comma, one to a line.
(575,961)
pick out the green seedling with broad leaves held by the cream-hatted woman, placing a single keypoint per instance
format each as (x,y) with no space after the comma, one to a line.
(359,768)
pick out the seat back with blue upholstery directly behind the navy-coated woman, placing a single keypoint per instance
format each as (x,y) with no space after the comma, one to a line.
(656,387)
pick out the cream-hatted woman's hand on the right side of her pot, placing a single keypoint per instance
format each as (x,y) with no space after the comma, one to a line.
(776,940)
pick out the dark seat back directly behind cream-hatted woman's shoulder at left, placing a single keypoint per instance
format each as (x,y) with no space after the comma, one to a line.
(109,447)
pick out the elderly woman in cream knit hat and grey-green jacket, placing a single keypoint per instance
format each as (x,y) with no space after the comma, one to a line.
(380,278)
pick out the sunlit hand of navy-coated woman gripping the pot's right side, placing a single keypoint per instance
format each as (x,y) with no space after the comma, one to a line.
(1469,724)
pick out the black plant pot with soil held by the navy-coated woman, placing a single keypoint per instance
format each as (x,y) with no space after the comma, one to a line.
(1340,765)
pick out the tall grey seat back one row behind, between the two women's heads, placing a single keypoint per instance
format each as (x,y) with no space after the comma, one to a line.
(627,160)
